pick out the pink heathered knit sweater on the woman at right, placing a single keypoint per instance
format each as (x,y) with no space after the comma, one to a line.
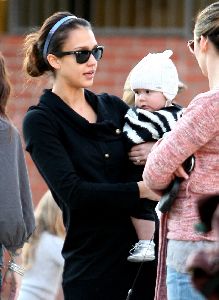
(197,132)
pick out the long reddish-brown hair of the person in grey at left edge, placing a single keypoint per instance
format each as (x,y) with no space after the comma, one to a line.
(5,86)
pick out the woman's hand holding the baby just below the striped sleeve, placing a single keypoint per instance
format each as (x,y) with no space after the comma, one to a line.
(139,153)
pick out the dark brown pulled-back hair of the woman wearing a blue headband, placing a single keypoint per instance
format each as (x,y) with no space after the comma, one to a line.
(34,63)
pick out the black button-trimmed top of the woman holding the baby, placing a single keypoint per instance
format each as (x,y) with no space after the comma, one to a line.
(86,165)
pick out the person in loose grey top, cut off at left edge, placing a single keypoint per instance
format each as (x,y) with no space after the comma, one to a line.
(16,208)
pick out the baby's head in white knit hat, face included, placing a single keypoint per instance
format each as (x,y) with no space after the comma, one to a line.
(155,81)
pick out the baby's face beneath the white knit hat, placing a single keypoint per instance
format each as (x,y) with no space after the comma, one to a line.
(149,100)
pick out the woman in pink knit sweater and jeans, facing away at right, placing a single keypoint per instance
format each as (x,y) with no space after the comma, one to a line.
(197,132)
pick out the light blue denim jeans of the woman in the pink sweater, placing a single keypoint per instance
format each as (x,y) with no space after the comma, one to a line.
(179,286)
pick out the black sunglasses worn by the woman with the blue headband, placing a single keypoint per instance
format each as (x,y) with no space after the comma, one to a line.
(82,56)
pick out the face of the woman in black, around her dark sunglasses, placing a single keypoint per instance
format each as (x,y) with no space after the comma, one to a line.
(70,72)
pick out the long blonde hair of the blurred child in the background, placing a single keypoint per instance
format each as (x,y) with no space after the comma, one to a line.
(48,218)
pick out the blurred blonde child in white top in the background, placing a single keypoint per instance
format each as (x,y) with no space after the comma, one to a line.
(42,258)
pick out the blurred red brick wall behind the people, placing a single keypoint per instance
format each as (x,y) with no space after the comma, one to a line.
(121,54)
